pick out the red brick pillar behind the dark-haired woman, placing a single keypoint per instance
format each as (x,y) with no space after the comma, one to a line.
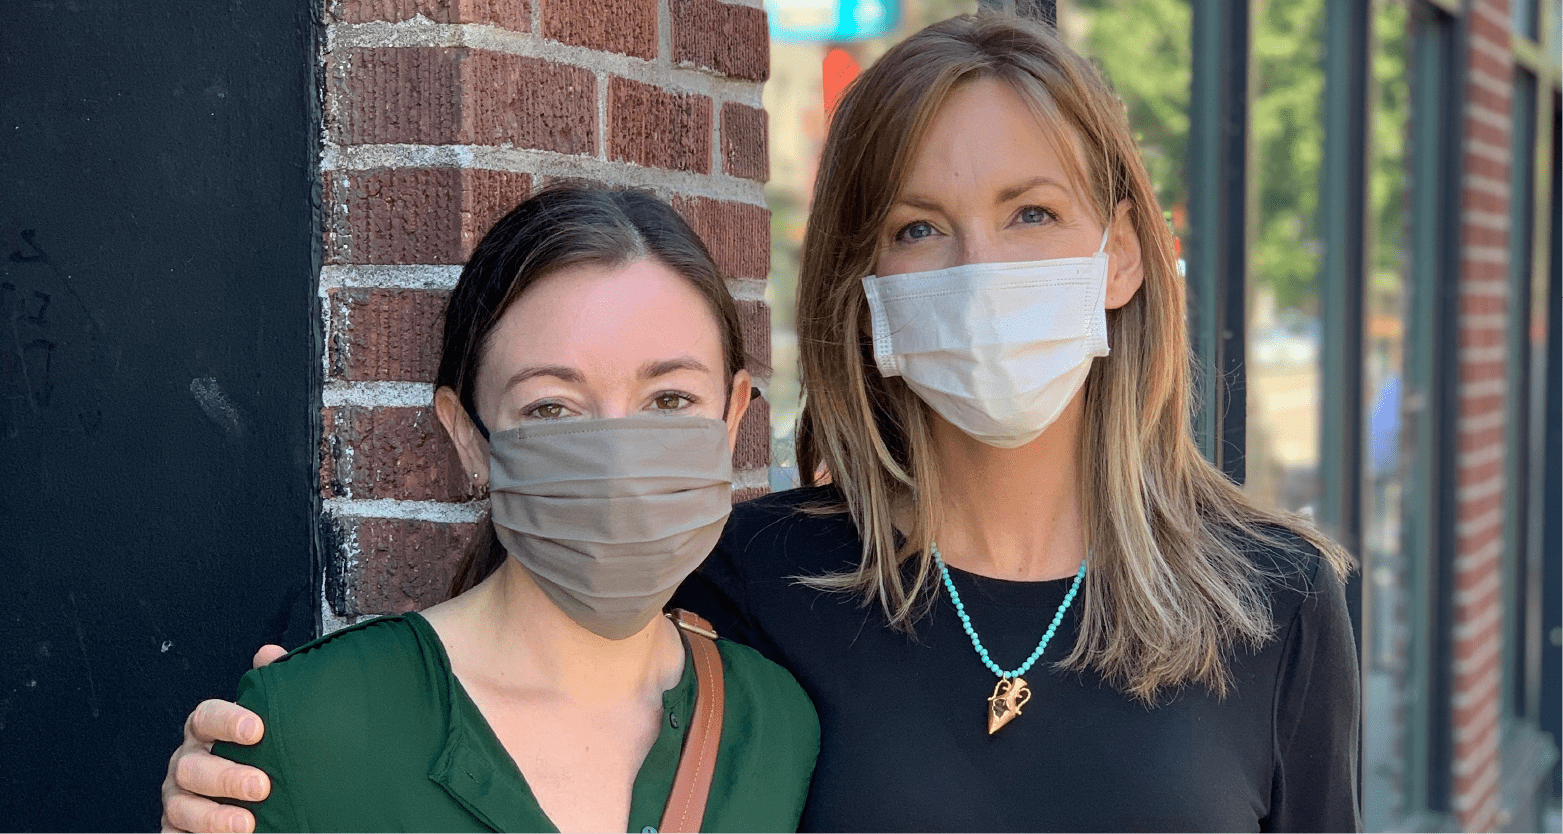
(443,115)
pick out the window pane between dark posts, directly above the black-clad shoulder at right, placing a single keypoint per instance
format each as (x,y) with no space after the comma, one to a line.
(1287,129)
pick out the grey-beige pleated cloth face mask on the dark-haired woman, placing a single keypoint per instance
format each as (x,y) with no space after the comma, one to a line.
(610,516)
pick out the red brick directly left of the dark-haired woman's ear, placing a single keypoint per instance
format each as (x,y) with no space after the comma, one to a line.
(392,454)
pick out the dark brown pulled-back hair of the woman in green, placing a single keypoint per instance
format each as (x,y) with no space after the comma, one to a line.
(562,227)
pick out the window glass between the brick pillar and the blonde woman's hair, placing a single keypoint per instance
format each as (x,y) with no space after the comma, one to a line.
(795,102)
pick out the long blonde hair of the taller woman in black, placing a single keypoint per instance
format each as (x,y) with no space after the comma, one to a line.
(1173,586)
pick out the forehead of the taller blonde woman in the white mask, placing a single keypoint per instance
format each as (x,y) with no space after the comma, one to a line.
(987,135)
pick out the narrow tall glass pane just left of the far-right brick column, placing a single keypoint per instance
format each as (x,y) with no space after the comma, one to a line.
(1386,583)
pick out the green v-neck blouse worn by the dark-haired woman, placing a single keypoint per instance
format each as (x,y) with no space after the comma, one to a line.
(368,730)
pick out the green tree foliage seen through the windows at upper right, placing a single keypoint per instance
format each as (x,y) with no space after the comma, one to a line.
(1145,48)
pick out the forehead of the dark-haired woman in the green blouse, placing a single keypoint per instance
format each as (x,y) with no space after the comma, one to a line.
(606,318)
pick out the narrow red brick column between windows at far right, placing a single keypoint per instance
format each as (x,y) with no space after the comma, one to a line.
(1484,307)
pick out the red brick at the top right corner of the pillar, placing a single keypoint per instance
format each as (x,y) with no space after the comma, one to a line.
(724,38)
